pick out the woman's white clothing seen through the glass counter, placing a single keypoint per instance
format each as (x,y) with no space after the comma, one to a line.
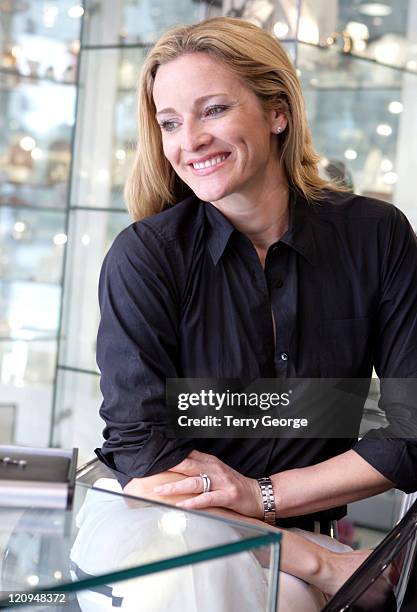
(146,534)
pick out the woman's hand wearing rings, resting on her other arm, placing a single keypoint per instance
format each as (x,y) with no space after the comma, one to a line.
(229,489)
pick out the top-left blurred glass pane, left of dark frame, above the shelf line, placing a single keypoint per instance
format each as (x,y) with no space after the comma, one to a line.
(39,47)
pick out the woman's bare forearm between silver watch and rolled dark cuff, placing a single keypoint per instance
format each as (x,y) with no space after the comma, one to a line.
(337,481)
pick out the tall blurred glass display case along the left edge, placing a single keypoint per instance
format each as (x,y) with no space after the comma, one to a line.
(39,44)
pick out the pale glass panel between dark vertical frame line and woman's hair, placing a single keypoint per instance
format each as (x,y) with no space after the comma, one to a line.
(107,98)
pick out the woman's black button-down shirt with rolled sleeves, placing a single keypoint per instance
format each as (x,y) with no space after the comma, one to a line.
(184,294)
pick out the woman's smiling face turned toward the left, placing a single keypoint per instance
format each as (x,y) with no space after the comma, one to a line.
(215,133)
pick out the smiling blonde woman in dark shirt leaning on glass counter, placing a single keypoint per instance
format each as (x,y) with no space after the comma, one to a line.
(265,270)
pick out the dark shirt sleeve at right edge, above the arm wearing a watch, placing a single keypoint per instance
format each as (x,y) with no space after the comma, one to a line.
(393,450)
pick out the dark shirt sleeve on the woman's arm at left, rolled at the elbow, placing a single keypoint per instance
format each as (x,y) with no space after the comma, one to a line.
(136,351)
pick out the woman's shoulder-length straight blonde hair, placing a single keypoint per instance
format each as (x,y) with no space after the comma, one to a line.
(257,58)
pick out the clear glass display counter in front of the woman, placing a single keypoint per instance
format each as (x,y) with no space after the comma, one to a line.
(112,550)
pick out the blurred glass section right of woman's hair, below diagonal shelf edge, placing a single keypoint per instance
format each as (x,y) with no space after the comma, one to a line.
(350,107)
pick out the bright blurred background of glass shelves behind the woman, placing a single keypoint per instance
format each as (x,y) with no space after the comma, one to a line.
(68,72)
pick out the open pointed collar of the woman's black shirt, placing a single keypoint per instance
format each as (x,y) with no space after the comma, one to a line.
(299,235)
